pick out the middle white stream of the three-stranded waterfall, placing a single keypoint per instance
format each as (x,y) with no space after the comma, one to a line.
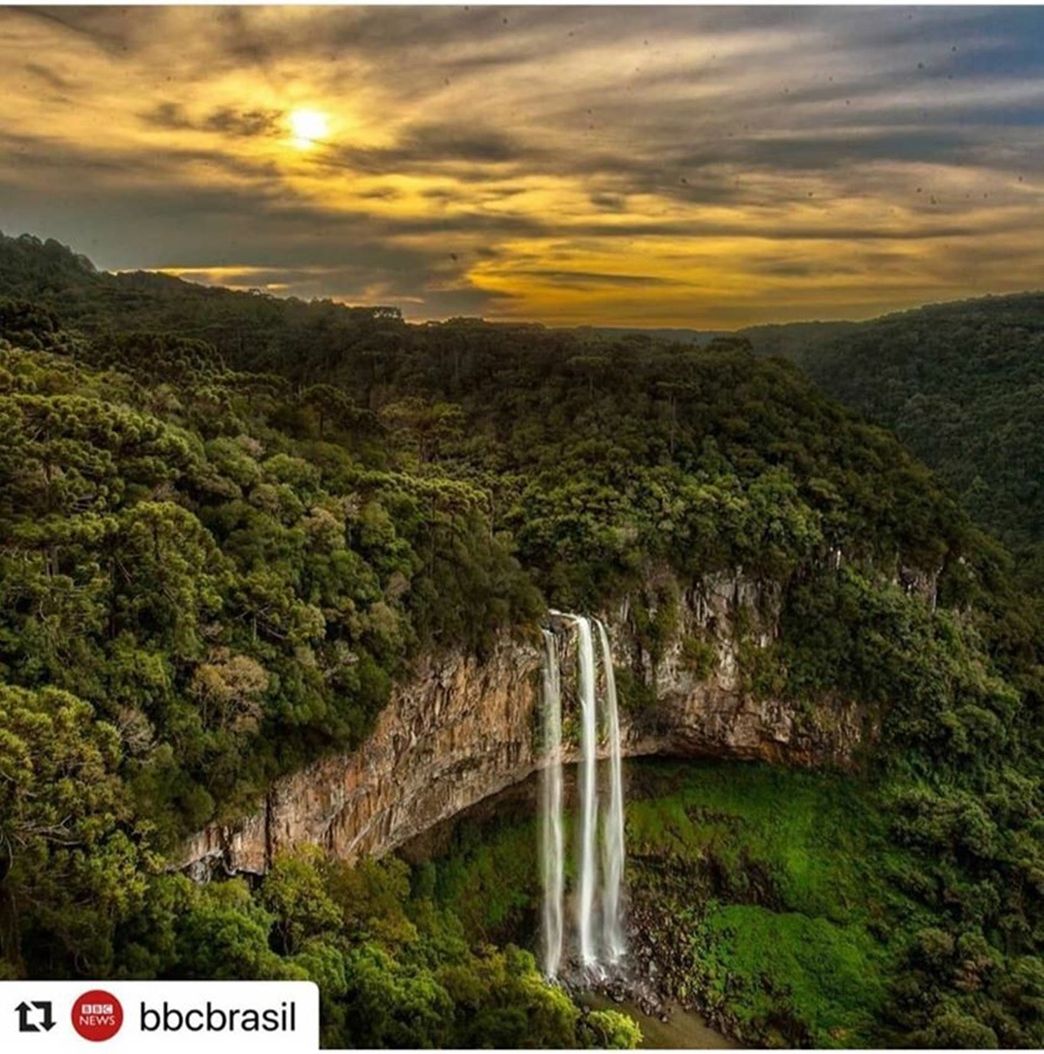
(589,792)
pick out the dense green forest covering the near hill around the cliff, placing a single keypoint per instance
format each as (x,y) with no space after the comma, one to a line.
(228,523)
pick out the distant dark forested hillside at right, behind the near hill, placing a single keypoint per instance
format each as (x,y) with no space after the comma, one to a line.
(962,385)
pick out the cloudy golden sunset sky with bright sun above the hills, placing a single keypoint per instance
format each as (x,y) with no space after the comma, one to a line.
(699,167)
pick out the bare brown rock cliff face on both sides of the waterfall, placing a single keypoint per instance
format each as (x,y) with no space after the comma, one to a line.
(461,730)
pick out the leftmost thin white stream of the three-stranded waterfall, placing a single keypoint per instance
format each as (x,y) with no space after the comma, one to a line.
(553,854)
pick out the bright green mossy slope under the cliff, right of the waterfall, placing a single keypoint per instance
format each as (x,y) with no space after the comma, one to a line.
(793,936)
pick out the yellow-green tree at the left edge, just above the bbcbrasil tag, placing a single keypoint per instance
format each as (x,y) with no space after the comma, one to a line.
(71,865)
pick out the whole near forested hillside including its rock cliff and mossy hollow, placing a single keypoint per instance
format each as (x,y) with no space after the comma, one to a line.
(277,578)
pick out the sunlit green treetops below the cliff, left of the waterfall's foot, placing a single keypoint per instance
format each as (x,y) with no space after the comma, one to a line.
(393,969)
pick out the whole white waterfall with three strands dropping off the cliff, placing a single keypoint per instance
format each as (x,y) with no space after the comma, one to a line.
(600,939)
